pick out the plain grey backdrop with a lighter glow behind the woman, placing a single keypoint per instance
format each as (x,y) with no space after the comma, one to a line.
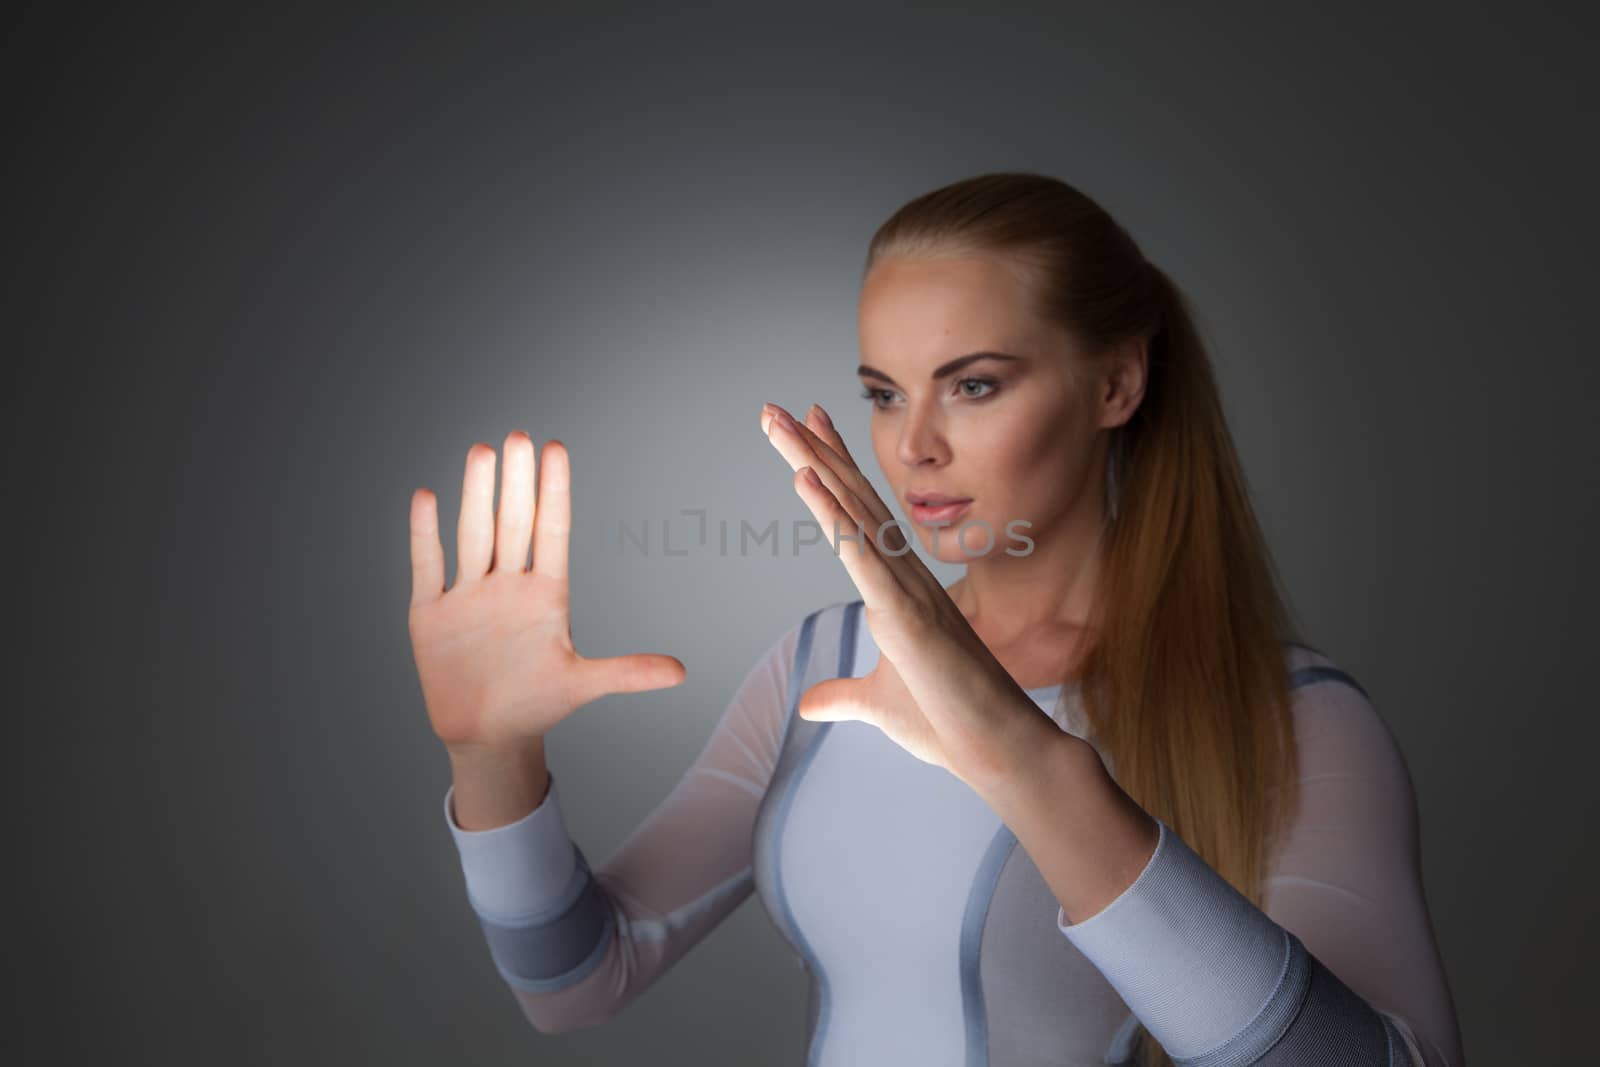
(276,276)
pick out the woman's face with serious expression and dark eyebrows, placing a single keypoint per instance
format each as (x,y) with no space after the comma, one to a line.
(1015,438)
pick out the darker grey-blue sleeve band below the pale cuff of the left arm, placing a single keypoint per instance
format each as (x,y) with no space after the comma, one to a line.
(553,951)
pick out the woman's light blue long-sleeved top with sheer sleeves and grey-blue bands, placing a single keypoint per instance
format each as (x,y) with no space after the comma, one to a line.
(929,935)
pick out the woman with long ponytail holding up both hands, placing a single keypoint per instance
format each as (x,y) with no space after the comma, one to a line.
(1092,804)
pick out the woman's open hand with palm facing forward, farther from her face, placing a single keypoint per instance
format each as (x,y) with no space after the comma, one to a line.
(495,653)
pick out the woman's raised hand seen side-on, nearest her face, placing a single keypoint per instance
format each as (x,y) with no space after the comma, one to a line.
(937,692)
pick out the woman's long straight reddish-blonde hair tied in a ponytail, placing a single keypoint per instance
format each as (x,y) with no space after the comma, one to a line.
(1186,679)
